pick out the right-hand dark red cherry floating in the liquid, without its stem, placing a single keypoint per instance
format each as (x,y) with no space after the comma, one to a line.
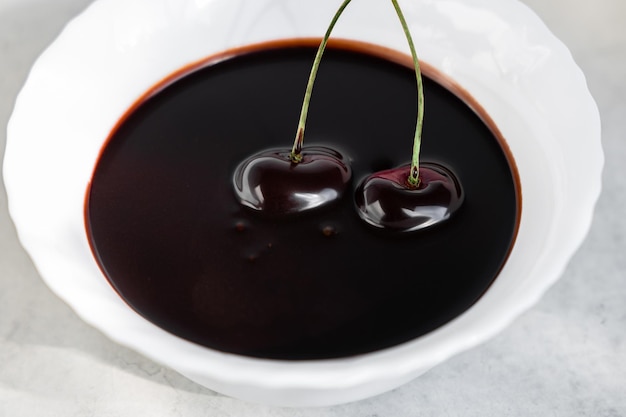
(387,200)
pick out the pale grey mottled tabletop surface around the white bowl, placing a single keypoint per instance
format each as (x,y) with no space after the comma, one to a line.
(564,357)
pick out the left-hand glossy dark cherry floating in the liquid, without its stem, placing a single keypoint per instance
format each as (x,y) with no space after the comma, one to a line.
(271,183)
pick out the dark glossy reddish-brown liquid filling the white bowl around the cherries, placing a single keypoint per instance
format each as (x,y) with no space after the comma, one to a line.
(178,247)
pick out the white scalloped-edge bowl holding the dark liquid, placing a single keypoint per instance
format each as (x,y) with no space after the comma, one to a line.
(106,58)
